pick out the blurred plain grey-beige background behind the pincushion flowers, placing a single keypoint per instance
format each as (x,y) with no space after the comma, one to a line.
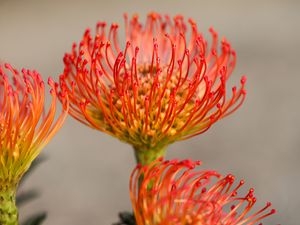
(85,179)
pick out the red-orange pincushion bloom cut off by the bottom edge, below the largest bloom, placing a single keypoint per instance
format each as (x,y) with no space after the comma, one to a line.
(175,193)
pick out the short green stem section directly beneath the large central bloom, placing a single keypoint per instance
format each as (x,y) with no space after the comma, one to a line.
(145,157)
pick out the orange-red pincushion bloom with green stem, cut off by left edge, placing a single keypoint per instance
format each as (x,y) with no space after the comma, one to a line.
(25,128)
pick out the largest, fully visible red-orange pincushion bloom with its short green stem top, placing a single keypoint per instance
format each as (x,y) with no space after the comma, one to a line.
(161,88)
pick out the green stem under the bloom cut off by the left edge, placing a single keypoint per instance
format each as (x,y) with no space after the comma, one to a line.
(8,209)
